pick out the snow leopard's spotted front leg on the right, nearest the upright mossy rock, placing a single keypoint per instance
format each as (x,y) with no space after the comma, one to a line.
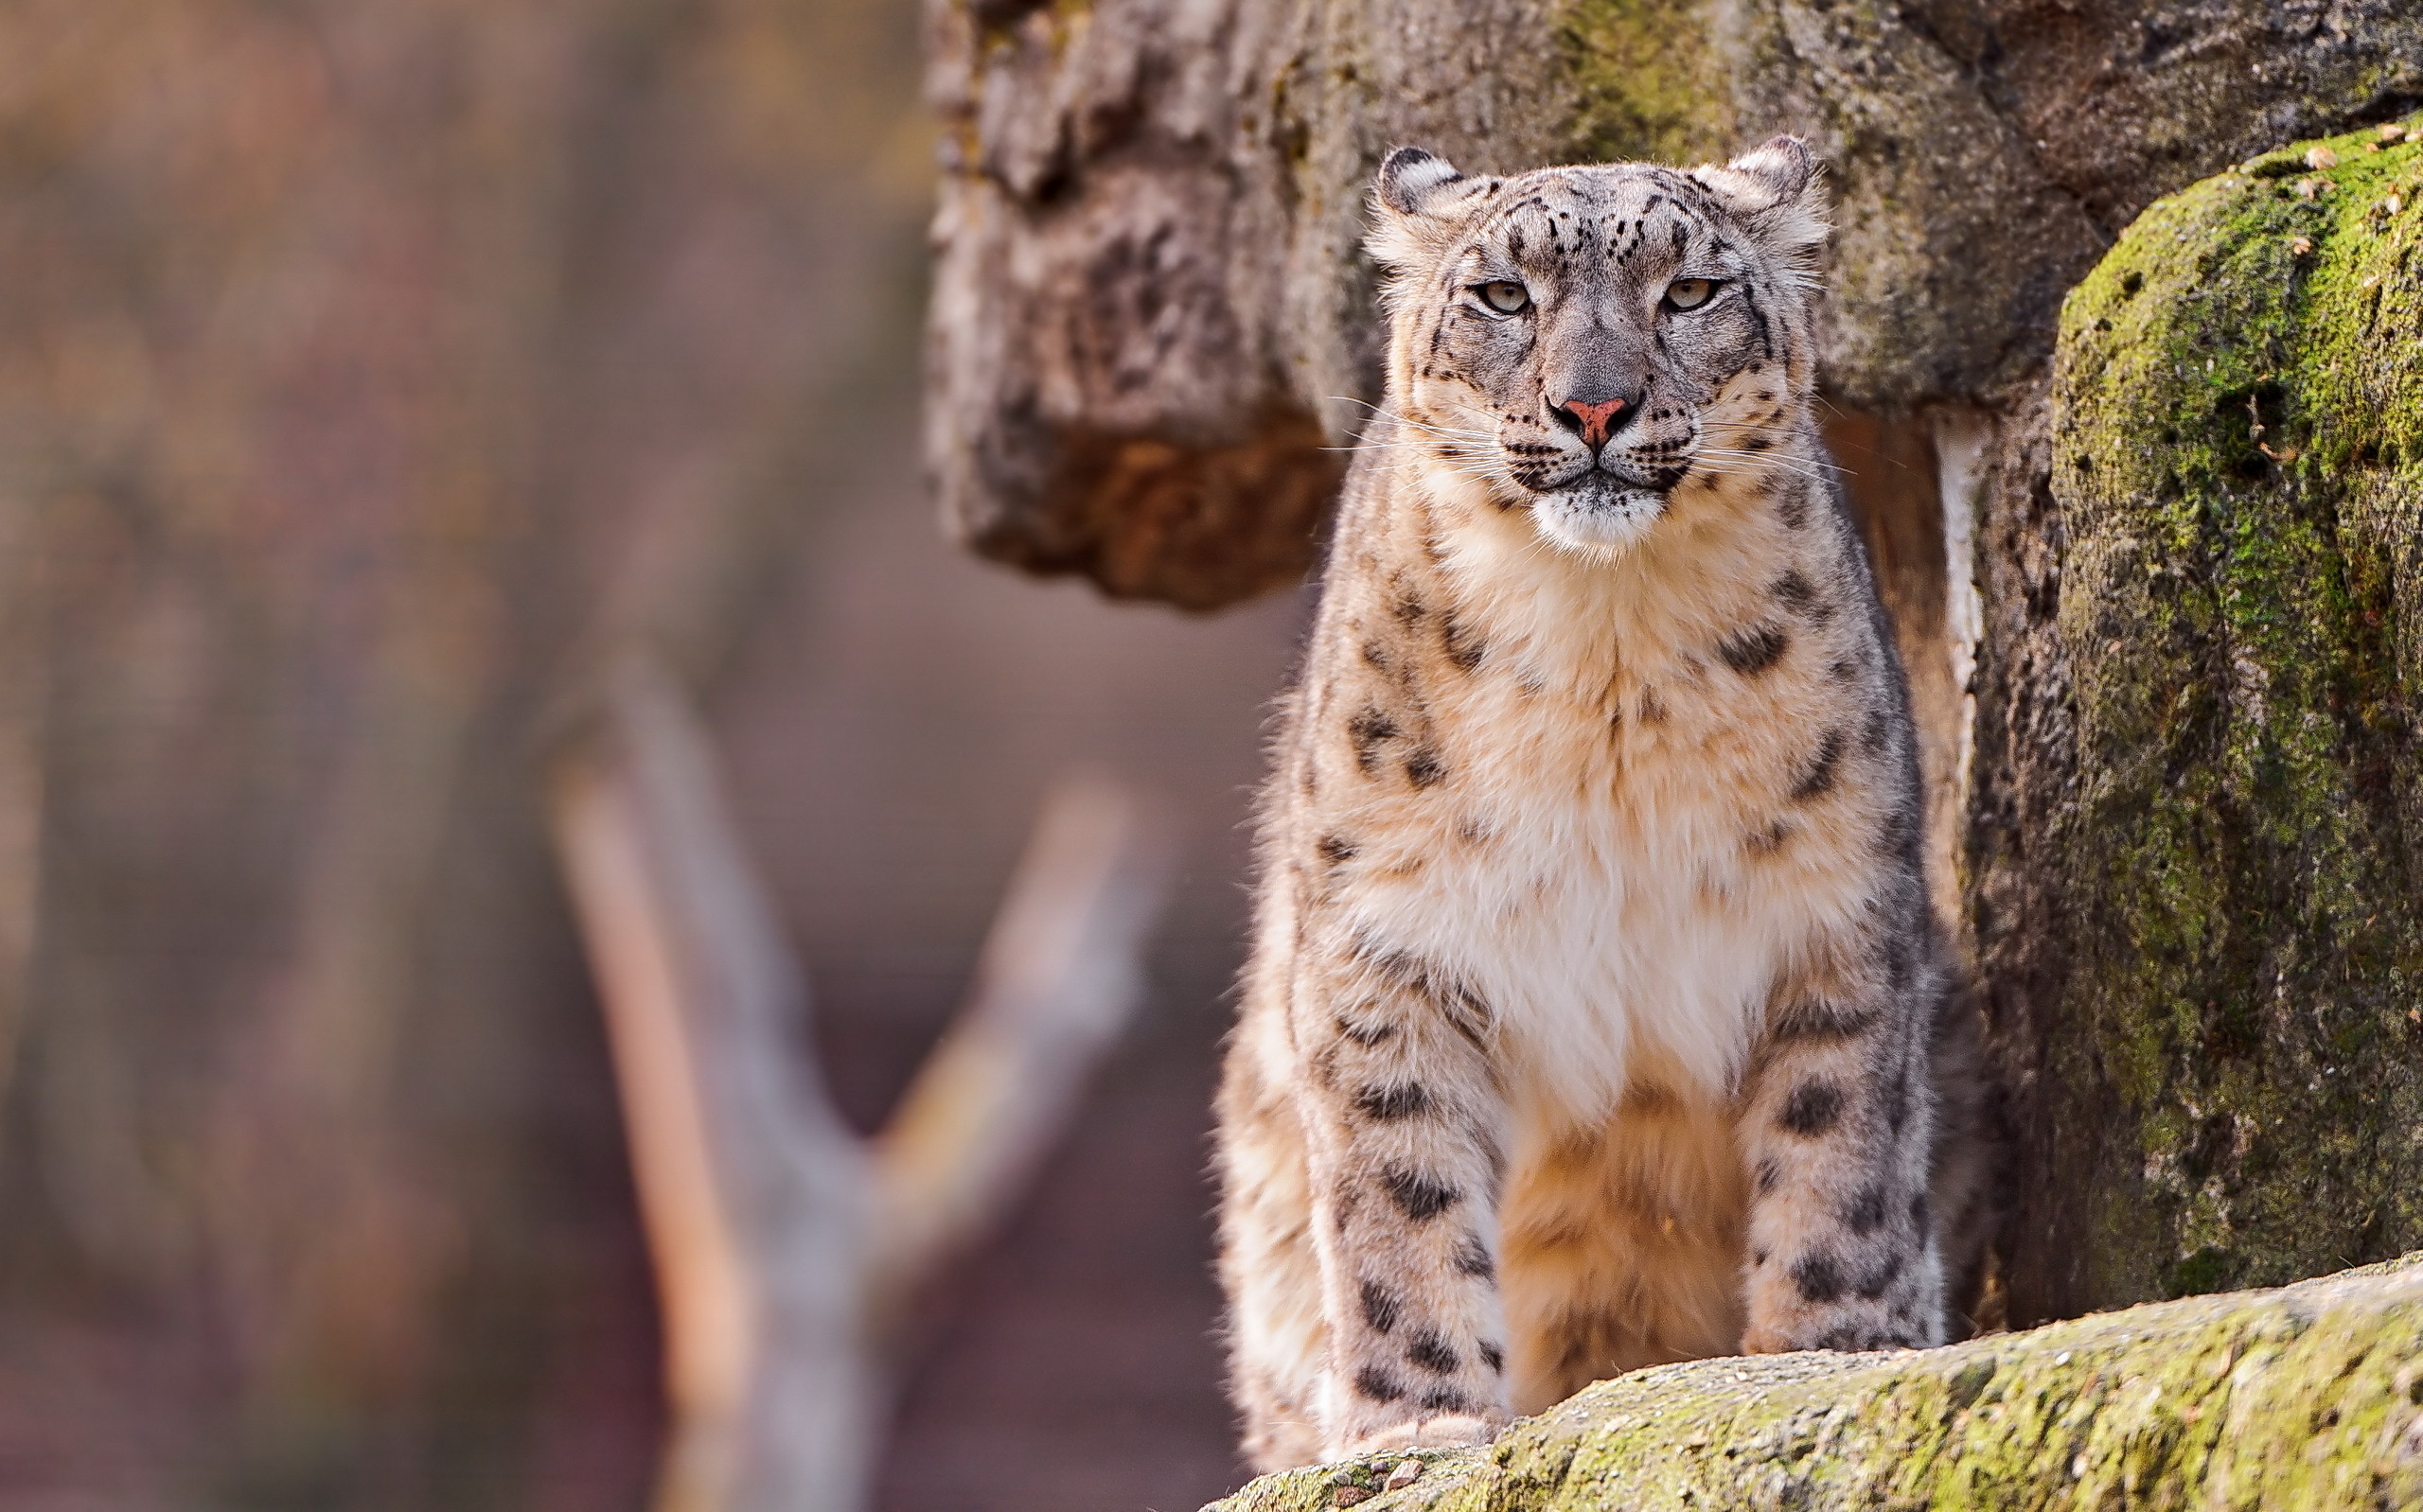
(1838,1133)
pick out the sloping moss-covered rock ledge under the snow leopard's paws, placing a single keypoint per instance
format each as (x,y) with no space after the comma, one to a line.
(2279,1399)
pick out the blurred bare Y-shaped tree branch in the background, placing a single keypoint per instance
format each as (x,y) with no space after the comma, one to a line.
(789,1254)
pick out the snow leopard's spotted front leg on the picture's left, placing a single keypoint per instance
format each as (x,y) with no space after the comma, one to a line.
(1404,1118)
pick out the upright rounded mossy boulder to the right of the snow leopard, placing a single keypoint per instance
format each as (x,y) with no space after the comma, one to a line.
(2240,476)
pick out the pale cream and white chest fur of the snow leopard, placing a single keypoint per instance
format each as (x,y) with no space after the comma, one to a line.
(1596,874)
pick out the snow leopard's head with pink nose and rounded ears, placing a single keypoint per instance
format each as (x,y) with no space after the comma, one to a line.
(1591,340)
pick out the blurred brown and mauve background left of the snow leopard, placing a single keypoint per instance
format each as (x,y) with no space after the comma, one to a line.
(367,367)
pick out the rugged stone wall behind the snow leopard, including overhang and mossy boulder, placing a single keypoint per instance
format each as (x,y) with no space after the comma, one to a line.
(2167,716)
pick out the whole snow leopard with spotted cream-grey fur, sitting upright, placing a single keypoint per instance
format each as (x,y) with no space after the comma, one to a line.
(1596,1012)
